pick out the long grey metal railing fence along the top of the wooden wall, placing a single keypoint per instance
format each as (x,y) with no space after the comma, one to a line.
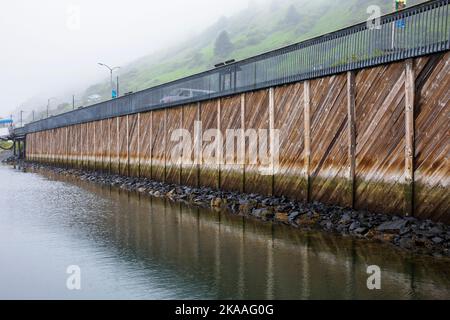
(415,31)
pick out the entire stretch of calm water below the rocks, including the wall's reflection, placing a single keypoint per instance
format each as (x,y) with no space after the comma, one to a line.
(131,246)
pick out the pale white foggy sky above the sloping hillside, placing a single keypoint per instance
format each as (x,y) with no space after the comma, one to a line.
(45,51)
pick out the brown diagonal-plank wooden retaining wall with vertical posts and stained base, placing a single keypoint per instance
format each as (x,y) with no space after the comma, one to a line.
(345,139)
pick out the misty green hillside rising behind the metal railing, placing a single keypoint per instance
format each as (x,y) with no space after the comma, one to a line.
(259,28)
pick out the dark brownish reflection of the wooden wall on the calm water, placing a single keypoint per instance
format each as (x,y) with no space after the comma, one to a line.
(234,257)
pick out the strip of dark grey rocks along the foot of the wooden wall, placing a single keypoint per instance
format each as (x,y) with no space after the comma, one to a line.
(407,233)
